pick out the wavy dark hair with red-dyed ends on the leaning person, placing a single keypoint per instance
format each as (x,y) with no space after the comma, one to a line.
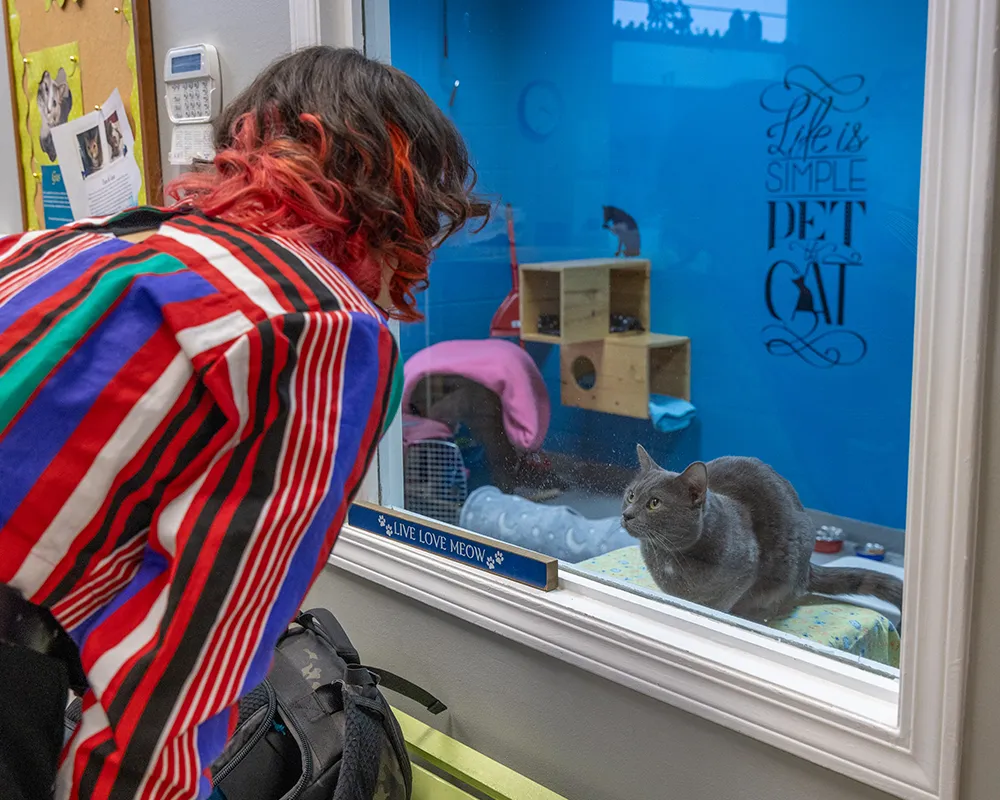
(348,155)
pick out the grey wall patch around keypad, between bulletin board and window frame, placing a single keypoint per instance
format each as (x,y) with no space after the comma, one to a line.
(249,34)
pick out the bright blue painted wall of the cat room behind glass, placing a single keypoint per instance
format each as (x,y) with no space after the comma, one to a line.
(674,132)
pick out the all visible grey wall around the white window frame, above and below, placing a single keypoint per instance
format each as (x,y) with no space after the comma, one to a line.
(583,736)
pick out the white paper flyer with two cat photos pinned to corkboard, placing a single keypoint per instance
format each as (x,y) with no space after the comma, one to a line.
(97,154)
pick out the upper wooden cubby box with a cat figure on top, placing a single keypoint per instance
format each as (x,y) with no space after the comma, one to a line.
(584,294)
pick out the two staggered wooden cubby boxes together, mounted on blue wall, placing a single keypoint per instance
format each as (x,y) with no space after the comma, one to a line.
(571,304)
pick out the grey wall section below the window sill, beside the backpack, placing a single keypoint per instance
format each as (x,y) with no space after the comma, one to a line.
(582,736)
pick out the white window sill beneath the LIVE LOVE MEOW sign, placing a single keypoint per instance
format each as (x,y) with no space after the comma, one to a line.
(805,703)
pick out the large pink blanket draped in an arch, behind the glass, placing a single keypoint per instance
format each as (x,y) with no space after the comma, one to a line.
(500,366)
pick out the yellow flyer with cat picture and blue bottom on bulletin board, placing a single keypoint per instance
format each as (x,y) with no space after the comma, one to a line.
(55,96)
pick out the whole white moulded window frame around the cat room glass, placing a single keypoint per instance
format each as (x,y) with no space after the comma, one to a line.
(858,723)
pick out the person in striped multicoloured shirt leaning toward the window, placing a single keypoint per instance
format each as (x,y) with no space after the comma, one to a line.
(189,399)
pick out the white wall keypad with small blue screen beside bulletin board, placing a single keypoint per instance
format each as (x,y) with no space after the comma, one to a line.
(194,84)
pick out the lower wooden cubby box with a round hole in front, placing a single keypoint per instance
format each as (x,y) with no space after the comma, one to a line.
(618,374)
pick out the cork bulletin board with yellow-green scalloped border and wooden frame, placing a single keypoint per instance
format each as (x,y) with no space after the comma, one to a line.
(67,56)
